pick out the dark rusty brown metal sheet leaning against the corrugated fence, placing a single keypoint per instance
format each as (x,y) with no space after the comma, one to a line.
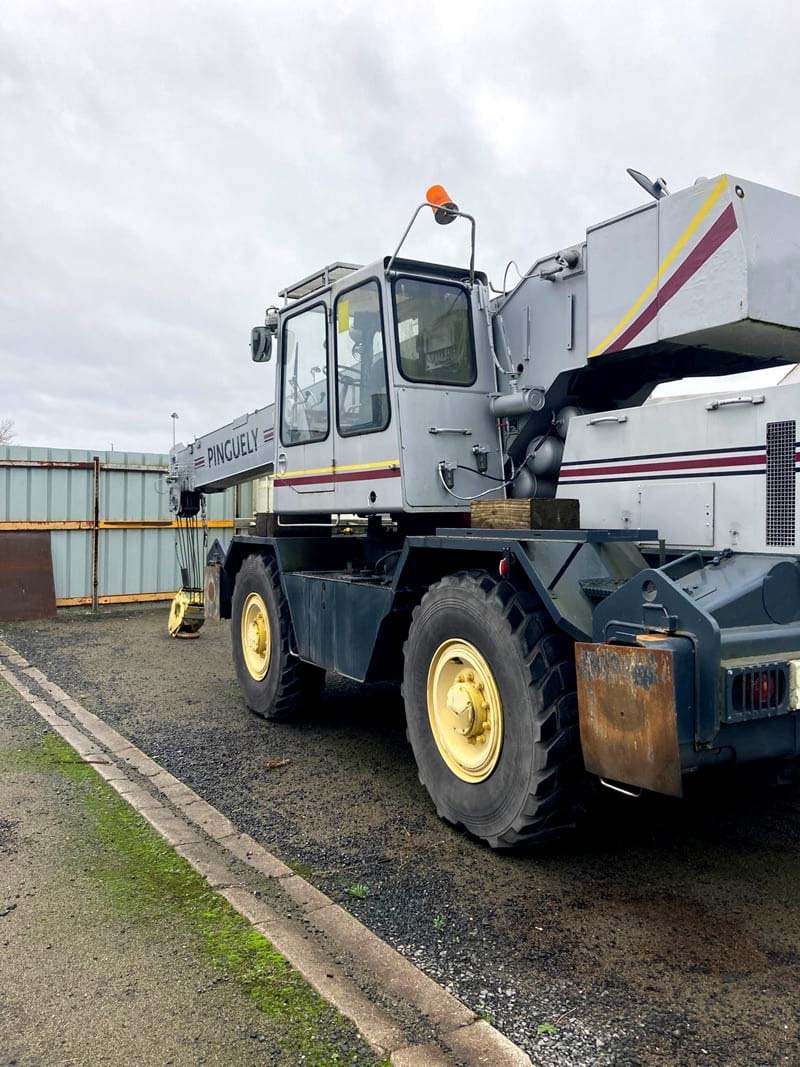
(27,590)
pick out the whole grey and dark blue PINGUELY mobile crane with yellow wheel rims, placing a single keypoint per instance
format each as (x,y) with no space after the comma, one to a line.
(658,636)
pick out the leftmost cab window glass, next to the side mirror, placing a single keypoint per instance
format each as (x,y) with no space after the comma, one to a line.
(305,372)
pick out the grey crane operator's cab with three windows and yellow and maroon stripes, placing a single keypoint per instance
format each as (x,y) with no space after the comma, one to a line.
(383,387)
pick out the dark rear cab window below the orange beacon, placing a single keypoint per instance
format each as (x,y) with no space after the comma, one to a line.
(435,339)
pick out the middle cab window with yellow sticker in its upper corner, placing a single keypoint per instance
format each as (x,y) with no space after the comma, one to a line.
(363,394)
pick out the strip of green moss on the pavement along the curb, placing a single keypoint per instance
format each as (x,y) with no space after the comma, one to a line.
(148,882)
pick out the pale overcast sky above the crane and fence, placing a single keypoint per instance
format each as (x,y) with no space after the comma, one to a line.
(166,168)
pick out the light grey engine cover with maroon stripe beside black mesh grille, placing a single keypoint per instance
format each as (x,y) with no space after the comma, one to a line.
(715,498)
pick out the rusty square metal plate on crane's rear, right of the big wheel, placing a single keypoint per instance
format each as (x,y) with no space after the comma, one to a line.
(628,713)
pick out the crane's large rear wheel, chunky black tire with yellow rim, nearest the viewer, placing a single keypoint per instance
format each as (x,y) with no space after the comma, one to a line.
(511,773)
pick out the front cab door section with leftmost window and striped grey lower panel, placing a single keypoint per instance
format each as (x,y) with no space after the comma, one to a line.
(305,470)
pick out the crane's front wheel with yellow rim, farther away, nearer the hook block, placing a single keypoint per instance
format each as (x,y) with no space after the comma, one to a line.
(277,686)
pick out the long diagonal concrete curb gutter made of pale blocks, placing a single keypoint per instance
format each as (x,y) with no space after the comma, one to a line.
(468,1040)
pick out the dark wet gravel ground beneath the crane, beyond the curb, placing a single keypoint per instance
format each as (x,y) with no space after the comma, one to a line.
(664,933)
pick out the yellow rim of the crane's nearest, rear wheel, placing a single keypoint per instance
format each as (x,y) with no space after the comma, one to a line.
(466,711)
